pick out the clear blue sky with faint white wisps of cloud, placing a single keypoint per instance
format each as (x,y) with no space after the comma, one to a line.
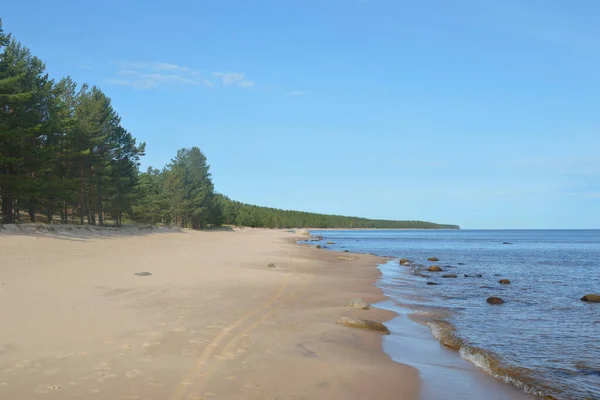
(480,113)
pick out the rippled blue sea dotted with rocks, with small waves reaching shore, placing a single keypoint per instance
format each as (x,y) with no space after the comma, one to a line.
(543,339)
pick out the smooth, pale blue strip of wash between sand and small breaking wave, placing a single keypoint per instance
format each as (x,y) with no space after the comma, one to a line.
(443,371)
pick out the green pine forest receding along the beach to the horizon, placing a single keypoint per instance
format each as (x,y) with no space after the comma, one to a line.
(64,155)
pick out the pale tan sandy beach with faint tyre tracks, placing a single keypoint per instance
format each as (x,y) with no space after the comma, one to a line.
(211,321)
